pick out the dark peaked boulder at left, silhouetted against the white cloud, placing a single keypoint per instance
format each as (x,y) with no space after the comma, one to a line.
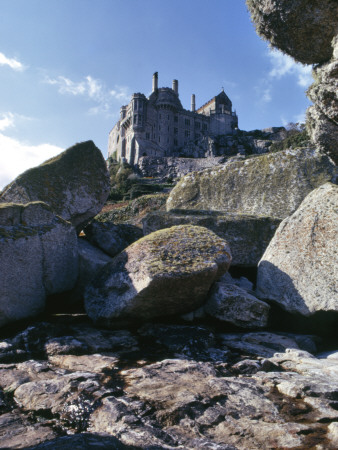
(75,184)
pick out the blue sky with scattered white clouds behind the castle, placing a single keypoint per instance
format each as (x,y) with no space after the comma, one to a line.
(66,67)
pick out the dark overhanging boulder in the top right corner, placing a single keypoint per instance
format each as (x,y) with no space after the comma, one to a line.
(302,29)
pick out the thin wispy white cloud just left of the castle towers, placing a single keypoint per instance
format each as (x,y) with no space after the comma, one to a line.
(91,89)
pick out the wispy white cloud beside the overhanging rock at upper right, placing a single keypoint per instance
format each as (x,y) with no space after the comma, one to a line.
(284,65)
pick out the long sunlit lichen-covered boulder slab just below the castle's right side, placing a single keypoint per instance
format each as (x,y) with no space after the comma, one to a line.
(268,185)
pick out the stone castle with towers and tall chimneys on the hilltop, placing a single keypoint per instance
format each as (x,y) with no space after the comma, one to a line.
(160,126)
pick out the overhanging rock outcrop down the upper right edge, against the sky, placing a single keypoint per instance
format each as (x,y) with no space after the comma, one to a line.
(308,32)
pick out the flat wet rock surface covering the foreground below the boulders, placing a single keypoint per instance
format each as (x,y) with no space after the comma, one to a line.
(165,385)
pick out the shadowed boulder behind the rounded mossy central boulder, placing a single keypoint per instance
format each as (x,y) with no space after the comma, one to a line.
(248,236)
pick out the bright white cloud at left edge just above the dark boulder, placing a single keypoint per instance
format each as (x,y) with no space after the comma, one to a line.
(17,156)
